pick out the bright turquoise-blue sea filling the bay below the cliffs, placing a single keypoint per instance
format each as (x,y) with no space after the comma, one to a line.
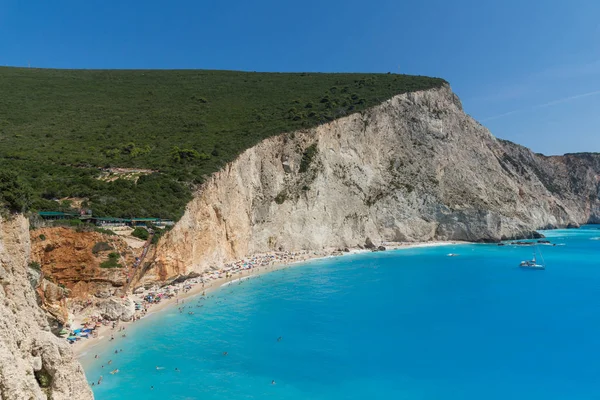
(405,324)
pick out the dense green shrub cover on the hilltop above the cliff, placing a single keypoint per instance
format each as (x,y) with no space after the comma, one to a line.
(59,127)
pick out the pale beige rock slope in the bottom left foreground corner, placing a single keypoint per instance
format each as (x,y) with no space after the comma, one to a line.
(34,364)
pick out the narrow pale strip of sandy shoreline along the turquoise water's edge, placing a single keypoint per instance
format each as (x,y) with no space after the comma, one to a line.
(82,347)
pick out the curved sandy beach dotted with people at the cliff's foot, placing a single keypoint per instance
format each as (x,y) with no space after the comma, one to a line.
(212,280)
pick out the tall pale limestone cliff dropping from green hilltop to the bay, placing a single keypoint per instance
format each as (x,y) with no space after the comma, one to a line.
(413,168)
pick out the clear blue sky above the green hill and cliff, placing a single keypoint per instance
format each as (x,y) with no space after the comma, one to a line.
(528,70)
